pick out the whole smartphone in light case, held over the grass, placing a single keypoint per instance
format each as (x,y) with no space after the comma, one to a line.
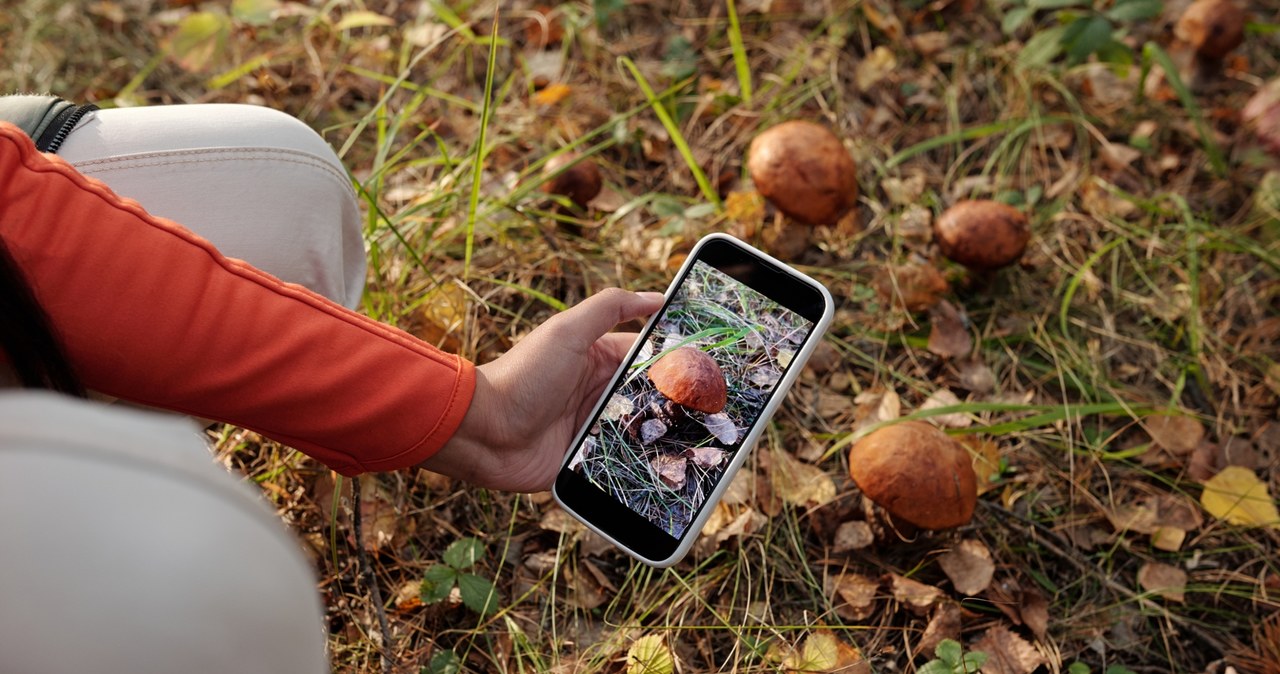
(692,398)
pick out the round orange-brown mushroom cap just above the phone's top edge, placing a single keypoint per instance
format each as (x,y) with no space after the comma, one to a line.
(804,171)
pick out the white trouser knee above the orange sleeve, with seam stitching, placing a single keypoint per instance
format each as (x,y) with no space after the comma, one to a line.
(258,184)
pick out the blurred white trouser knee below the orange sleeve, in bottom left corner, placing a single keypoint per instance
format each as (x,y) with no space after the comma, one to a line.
(124,549)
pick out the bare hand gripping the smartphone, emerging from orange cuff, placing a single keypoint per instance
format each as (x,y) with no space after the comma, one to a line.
(533,400)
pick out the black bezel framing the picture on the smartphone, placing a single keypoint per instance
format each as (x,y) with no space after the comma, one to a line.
(625,526)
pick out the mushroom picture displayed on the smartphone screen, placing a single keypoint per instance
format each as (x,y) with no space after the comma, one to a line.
(668,434)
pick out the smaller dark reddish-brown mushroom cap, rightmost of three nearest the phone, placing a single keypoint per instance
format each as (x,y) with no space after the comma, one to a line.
(982,233)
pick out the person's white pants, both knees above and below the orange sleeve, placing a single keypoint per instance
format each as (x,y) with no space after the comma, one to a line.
(124,548)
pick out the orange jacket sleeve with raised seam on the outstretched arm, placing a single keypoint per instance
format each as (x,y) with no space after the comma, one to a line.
(152,313)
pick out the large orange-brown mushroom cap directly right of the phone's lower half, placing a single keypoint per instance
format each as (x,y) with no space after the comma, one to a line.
(918,474)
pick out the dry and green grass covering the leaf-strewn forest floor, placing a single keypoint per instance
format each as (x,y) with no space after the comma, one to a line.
(1150,286)
